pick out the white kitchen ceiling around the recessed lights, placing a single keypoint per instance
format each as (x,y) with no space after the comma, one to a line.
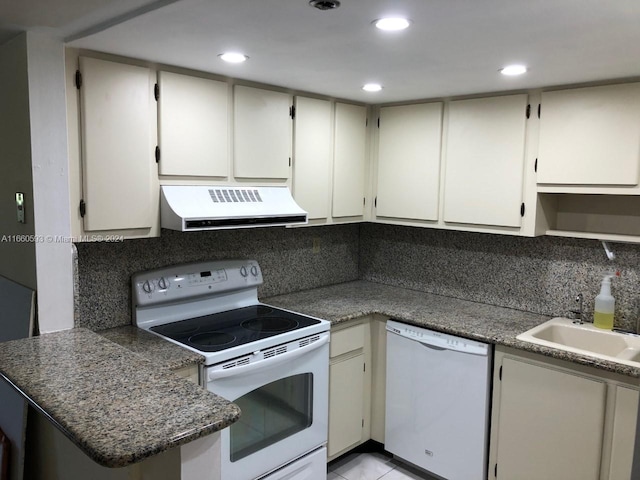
(454,47)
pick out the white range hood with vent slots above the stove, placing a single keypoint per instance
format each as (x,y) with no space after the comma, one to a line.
(197,207)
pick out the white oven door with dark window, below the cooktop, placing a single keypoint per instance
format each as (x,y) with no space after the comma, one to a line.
(284,402)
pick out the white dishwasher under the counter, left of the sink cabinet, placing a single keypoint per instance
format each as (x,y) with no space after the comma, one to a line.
(437,401)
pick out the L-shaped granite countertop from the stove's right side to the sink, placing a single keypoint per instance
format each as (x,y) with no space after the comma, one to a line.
(477,321)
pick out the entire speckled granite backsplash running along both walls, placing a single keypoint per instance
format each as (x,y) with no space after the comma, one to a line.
(540,275)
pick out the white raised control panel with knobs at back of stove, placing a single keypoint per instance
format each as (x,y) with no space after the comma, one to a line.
(183,282)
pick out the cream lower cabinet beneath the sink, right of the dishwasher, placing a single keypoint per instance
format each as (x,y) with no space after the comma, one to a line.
(554,420)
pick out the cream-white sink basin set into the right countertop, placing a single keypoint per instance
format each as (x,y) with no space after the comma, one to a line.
(585,339)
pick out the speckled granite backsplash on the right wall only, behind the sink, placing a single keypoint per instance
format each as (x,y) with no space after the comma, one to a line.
(540,275)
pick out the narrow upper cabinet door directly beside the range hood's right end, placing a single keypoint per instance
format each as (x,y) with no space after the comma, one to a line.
(312,156)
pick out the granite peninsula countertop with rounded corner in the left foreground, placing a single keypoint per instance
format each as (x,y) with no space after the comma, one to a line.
(117,406)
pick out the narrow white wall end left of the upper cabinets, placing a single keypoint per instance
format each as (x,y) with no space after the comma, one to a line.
(47,110)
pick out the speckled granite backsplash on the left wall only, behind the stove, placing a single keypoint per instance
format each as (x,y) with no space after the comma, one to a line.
(285,255)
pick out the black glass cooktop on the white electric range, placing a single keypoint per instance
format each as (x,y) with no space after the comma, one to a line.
(219,331)
